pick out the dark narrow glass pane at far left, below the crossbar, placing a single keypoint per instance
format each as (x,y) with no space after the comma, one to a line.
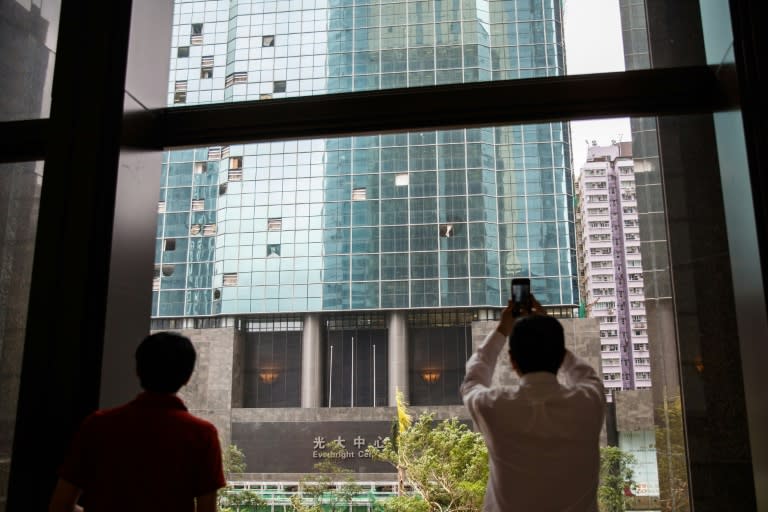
(19,196)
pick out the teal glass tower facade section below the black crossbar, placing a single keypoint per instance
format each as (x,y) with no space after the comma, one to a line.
(345,247)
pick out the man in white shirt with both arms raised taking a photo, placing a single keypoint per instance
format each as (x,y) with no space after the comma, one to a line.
(542,436)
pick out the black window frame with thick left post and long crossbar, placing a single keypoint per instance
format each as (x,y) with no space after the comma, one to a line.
(74,361)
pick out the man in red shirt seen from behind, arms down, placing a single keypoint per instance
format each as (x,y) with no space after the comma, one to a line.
(149,454)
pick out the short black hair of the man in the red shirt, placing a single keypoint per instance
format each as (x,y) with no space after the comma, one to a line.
(164,362)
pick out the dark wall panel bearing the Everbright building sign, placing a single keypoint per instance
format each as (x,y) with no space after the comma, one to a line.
(295,447)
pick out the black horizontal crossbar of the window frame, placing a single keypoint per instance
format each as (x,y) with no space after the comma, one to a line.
(654,92)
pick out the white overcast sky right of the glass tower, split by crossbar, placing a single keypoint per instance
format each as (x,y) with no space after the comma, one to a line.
(593,45)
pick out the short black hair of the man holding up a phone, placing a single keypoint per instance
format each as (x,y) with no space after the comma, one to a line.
(537,344)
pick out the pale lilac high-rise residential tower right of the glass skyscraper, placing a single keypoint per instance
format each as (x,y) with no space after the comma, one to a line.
(608,241)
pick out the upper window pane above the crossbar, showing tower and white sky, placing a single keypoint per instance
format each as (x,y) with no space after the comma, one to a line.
(225,51)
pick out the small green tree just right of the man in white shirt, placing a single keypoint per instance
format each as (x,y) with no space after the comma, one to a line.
(616,479)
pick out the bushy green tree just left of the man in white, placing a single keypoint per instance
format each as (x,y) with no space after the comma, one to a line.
(445,462)
